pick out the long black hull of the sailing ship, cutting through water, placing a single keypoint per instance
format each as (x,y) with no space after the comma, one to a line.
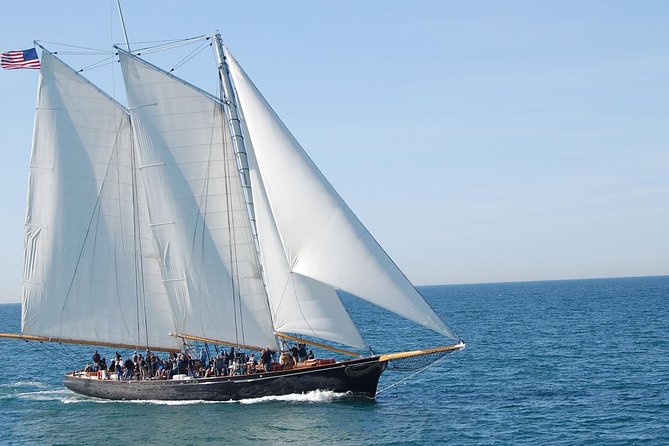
(359,377)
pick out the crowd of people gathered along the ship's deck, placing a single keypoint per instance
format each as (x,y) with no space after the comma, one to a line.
(224,363)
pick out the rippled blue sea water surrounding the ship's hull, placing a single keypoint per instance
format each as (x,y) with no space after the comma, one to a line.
(547,363)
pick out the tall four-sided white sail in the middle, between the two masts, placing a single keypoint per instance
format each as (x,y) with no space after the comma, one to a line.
(197,208)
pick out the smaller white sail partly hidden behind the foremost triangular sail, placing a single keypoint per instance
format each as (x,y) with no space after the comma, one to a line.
(299,304)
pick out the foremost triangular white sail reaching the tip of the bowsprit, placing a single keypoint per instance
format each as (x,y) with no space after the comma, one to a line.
(322,238)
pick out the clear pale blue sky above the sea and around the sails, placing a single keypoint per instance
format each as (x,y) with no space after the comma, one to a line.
(482,141)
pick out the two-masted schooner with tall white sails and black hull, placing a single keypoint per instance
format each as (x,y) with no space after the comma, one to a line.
(192,217)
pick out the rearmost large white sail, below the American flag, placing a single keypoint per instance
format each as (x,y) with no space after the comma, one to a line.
(82,243)
